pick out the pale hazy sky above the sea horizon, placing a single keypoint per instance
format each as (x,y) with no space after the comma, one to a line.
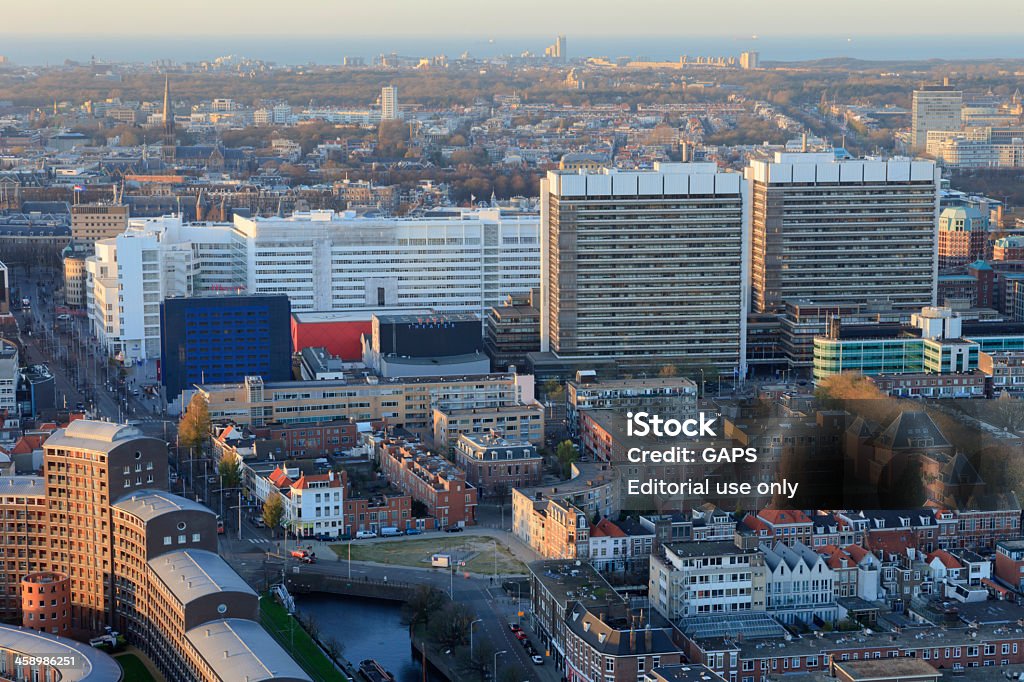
(510,18)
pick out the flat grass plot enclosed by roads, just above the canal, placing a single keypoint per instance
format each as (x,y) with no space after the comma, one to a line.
(477,551)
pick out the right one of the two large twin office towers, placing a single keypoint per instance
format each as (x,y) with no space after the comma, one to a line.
(843,232)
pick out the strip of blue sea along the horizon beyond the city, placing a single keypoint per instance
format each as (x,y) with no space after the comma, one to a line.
(34,51)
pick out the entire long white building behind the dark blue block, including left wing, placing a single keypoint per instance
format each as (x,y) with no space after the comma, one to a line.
(451,262)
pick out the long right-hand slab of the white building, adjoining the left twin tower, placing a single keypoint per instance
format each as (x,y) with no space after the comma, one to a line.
(451,262)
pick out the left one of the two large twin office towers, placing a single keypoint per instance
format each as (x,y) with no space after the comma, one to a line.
(645,268)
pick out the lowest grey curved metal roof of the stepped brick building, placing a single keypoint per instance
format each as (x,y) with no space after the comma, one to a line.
(243,652)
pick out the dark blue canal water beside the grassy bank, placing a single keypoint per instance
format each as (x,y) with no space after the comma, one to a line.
(370,629)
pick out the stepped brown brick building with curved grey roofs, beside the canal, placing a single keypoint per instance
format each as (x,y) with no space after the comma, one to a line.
(136,558)
